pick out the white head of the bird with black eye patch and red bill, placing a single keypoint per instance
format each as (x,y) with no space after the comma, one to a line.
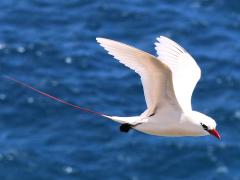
(205,124)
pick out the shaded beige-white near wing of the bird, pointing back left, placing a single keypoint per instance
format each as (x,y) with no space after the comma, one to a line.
(154,74)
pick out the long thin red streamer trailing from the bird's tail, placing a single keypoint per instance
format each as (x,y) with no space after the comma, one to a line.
(54,98)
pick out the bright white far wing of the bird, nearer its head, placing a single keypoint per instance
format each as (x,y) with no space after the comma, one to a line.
(185,71)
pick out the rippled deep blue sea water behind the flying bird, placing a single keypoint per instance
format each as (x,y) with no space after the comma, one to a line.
(51,45)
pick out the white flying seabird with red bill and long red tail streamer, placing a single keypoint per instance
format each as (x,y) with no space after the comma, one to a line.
(168,81)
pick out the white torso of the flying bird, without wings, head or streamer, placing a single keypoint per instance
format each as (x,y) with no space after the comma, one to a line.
(167,121)
